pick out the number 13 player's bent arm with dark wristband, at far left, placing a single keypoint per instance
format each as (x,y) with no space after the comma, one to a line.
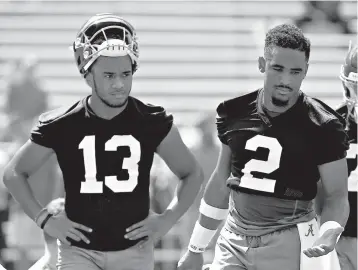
(24,163)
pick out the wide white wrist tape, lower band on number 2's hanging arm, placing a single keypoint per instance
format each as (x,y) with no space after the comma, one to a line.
(200,238)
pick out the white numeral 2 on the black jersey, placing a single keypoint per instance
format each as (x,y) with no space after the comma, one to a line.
(265,166)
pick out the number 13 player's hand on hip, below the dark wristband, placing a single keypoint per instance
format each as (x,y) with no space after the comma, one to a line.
(61,227)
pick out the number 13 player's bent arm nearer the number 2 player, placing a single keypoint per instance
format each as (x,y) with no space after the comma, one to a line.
(183,164)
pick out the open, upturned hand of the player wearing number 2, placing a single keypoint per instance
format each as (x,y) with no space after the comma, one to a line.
(324,244)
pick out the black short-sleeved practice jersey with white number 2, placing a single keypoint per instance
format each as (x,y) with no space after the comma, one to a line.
(279,156)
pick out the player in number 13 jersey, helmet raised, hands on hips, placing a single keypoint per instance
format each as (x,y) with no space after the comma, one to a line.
(105,145)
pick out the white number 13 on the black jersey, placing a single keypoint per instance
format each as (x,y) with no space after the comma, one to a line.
(91,185)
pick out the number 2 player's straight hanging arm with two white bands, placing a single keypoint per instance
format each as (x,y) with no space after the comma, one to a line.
(213,210)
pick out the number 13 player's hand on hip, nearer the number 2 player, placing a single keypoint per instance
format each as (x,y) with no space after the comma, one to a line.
(154,227)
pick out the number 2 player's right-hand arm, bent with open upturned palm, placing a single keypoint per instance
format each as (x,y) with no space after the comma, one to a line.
(335,206)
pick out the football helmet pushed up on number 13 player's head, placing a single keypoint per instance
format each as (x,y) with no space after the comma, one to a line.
(105,34)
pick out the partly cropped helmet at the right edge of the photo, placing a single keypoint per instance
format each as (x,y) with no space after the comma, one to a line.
(349,75)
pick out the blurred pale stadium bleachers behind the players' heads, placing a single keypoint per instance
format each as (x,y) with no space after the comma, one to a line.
(193,54)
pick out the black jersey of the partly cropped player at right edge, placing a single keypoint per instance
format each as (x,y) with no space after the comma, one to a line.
(351,226)
